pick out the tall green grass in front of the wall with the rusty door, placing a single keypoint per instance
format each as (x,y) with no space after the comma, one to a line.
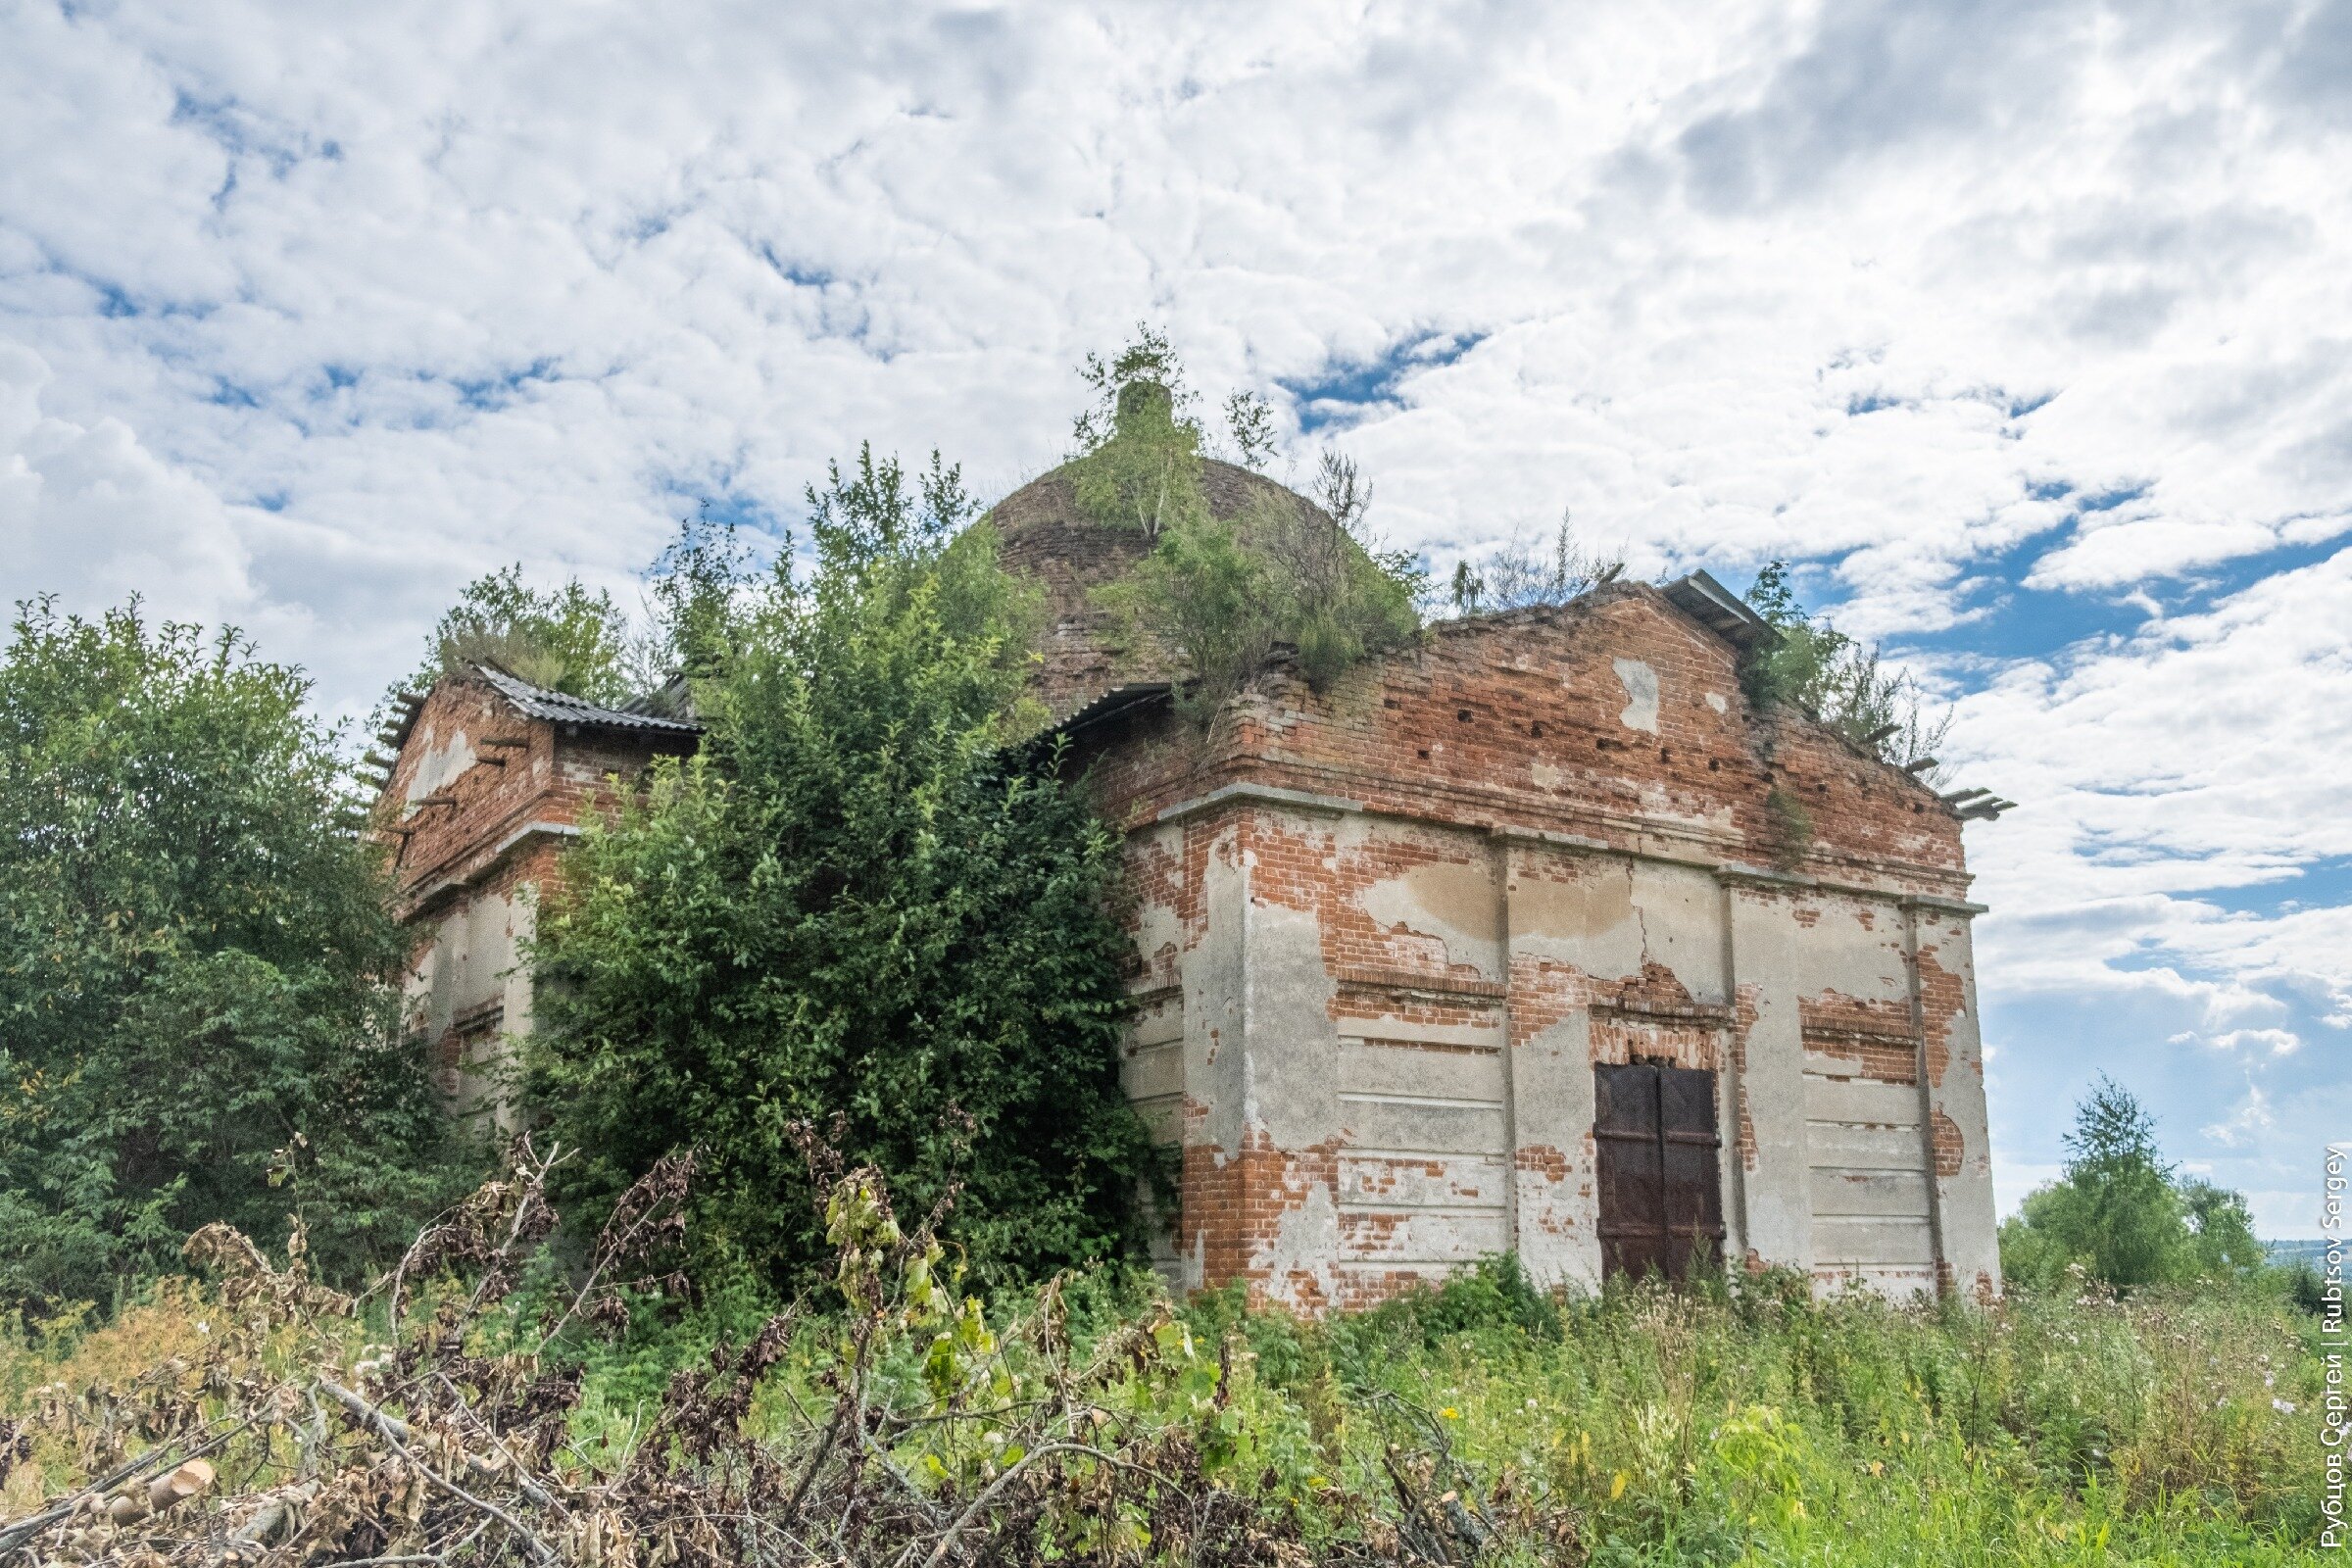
(1760,1426)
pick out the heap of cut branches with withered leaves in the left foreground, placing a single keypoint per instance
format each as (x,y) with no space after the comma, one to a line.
(293,1442)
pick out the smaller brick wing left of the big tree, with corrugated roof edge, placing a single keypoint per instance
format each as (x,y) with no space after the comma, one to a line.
(488,779)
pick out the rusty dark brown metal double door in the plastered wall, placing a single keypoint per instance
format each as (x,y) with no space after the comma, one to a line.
(1662,1191)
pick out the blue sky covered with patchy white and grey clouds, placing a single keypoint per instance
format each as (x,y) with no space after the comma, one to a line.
(2024,328)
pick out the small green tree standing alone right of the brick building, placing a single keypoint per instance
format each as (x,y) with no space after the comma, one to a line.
(2123,1214)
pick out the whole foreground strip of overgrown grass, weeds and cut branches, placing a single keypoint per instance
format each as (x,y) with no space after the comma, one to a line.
(497,1416)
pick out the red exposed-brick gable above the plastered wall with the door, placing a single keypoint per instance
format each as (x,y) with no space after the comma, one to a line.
(1615,718)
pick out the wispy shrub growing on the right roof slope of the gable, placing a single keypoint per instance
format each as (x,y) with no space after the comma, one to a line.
(1838,681)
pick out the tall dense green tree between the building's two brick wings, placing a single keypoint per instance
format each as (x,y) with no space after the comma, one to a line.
(855,904)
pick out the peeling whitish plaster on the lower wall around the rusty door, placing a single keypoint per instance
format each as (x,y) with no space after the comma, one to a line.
(1269,1066)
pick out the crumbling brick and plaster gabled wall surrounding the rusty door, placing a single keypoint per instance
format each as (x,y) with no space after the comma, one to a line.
(1394,927)
